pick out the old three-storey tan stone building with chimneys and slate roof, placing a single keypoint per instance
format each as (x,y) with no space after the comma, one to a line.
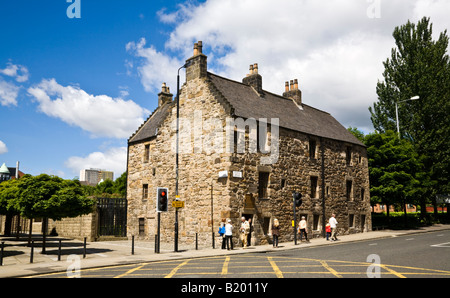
(243,151)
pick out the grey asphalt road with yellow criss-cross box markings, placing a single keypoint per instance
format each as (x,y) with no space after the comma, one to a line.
(411,256)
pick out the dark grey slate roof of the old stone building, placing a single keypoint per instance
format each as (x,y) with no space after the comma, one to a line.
(247,103)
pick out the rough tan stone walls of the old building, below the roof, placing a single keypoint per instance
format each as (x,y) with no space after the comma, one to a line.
(199,183)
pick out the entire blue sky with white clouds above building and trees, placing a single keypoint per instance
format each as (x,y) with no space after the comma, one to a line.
(73,90)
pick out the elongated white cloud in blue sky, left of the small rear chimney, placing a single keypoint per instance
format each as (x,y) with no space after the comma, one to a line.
(100,115)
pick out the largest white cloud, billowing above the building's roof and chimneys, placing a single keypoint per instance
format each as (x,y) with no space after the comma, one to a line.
(335,48)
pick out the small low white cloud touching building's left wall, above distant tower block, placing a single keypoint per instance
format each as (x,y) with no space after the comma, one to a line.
(114,159)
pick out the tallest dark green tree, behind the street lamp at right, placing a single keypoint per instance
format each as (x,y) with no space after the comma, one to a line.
(419,66)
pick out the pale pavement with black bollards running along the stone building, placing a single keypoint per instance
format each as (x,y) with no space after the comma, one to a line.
(17,253)
